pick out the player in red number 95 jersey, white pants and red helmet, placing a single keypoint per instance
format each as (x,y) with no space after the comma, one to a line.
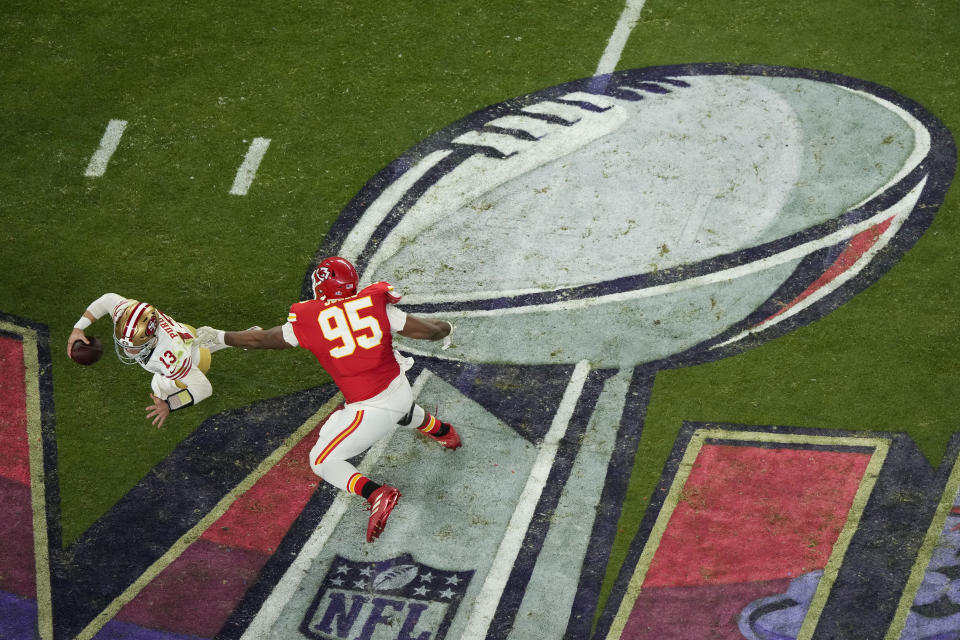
(350,333)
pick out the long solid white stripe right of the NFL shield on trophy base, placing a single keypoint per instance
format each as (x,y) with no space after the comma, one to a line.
(496,580)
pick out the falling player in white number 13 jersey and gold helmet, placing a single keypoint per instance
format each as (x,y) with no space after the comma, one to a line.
(166,348)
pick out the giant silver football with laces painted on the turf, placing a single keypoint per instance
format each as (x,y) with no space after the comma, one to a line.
(670,212)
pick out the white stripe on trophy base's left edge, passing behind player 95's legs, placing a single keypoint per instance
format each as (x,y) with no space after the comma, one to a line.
(284,591)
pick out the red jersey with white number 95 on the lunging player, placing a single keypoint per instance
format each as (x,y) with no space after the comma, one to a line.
(351,338)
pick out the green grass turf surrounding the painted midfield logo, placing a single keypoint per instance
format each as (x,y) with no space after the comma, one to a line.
(342,89)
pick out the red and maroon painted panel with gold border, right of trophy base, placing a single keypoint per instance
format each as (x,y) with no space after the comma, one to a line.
(749,519)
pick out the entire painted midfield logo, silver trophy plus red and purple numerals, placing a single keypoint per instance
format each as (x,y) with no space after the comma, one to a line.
(581,238)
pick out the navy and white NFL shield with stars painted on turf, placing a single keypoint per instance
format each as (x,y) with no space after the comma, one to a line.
(399,599)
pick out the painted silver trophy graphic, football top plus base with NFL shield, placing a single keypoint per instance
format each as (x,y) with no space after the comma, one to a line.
(581,238)
